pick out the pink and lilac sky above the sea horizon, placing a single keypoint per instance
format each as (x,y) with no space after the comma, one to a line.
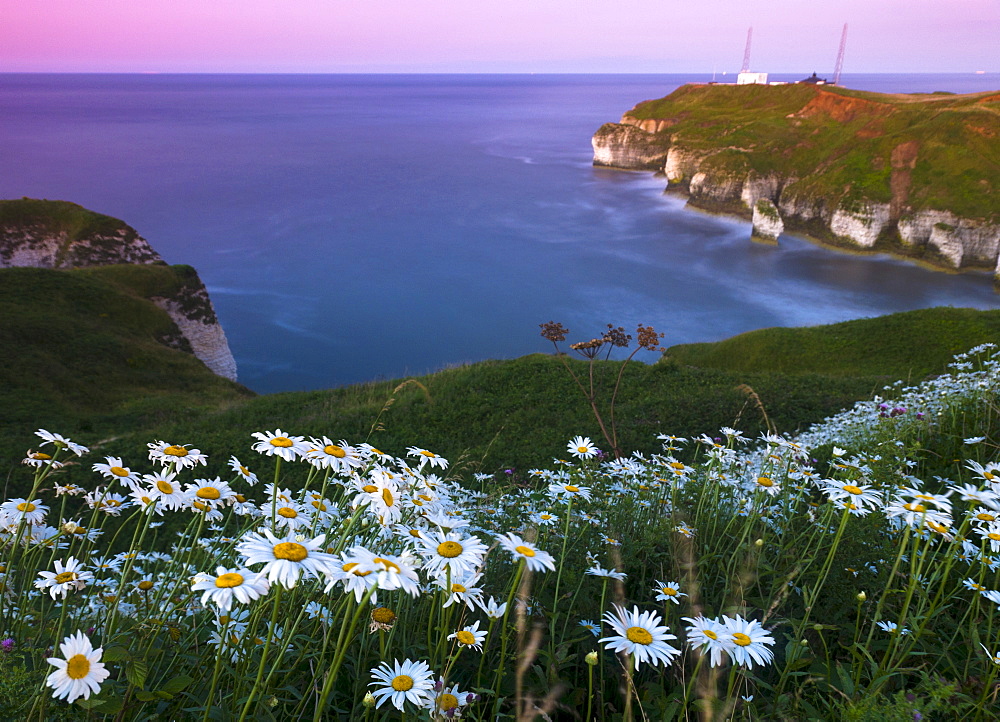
(487,36)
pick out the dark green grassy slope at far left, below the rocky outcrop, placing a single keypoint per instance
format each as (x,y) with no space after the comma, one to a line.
(85,349)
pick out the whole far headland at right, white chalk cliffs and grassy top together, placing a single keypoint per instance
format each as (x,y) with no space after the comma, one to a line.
(907,174)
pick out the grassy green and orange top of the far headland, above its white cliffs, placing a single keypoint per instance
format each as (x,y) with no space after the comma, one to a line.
(924,152)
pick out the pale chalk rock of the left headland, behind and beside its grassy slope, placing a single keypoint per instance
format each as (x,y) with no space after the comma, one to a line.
(61,235)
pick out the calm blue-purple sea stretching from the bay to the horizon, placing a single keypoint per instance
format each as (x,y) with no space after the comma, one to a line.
(352,227)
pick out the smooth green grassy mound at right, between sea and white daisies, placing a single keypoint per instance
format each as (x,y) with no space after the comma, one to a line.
(908,345)
